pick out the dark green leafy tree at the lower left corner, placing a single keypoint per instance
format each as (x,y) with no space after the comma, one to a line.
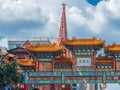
(9,74)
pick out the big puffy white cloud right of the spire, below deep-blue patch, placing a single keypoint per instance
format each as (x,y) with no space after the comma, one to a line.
(96,19)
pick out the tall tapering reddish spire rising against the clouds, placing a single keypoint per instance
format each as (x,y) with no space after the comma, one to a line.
(63,25)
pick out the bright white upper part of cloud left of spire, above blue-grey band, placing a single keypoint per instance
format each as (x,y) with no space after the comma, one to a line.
(24,10)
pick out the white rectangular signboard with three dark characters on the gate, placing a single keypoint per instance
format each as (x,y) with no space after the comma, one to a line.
(83,61)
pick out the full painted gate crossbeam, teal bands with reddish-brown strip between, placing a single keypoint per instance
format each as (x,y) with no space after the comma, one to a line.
(71,77)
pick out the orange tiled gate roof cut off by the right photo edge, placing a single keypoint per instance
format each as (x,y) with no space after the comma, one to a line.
(114,47)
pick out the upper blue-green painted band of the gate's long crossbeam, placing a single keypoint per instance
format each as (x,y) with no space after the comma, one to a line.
(75,73)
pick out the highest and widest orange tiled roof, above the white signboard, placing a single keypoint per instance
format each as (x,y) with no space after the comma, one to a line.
(84,42)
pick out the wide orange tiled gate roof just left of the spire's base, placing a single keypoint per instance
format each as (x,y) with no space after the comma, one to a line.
(45,48)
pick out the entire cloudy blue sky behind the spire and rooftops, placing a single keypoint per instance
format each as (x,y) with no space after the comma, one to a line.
(23,19)
